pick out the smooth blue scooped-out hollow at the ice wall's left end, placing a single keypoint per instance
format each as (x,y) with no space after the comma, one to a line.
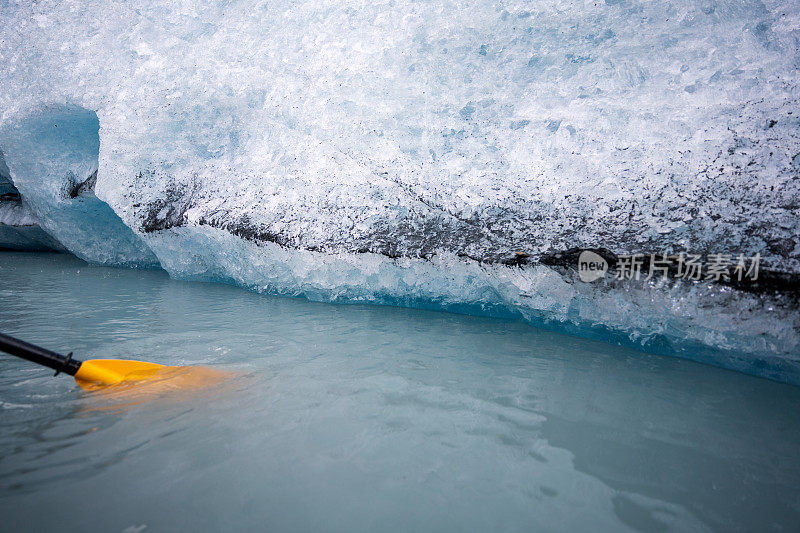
(52,159)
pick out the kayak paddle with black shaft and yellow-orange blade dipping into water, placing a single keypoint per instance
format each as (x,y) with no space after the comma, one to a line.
(88,374)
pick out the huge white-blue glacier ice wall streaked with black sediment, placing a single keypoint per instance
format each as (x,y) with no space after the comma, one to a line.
(403,152)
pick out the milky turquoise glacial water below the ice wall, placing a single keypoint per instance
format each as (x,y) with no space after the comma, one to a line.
(362,418)
